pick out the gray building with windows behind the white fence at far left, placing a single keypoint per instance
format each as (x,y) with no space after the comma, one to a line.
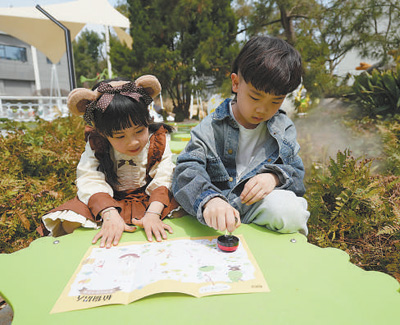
(18,62)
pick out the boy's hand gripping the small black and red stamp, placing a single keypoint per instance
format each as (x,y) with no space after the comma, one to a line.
(220,215)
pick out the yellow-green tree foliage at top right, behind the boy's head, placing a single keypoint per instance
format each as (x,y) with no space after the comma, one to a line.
(324,31)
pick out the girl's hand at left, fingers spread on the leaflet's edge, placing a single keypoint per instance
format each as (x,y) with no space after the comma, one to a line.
(112,229)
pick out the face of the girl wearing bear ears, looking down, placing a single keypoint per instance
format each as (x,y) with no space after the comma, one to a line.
(130,141)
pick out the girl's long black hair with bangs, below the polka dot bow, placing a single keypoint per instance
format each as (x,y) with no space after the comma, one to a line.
(123,112)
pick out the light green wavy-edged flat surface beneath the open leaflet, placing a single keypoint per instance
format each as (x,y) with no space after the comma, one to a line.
(309,285)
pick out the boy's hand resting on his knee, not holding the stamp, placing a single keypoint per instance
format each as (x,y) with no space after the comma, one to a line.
(258,187)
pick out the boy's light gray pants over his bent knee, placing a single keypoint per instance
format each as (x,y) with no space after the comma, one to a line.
(280,211)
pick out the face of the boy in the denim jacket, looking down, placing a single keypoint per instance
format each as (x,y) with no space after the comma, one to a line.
(253,106)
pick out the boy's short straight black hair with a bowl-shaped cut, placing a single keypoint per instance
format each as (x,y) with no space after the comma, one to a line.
(270,65)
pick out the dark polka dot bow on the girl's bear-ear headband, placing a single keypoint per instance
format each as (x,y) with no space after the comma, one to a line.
(107,94)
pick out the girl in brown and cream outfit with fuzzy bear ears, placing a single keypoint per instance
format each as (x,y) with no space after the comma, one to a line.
(124,175)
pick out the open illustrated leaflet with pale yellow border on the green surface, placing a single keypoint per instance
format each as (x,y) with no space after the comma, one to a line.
(130,271)
